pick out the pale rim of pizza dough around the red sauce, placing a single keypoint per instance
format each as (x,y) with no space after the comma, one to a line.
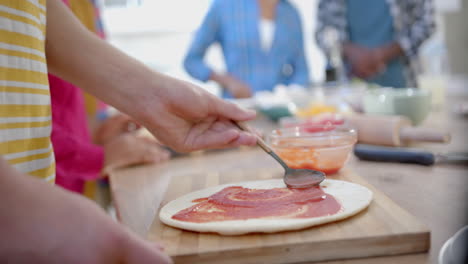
(352,197)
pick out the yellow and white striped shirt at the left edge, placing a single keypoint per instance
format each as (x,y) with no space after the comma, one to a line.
(25,113)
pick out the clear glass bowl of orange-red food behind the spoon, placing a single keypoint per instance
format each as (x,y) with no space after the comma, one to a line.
(319,146)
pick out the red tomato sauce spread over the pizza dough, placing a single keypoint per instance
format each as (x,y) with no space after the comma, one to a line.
(238,203)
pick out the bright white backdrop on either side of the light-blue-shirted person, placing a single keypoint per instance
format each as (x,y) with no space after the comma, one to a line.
(159,32)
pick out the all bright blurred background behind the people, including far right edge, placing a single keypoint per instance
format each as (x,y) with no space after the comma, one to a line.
(159,32)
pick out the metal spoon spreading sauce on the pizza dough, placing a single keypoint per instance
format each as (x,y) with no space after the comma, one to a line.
(293,178)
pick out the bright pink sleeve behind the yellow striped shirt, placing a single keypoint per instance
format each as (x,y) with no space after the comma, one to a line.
(77,158)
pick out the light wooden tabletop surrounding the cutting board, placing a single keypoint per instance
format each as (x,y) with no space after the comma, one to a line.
(436,195)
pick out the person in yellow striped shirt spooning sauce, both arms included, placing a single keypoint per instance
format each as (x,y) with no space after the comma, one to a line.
(40,223)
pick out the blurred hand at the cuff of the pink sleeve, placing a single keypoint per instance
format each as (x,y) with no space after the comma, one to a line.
(128,149)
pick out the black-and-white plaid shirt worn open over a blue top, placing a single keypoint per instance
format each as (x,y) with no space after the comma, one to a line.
(413,24)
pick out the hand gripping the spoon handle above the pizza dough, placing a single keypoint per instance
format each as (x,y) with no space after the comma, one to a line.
(187,118)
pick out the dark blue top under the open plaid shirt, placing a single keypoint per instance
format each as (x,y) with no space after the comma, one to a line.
(370,24)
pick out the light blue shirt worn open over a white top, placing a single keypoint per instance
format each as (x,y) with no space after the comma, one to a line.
(234,25)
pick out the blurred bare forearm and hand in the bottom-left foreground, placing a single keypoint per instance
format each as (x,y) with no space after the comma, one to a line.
(41,223)
